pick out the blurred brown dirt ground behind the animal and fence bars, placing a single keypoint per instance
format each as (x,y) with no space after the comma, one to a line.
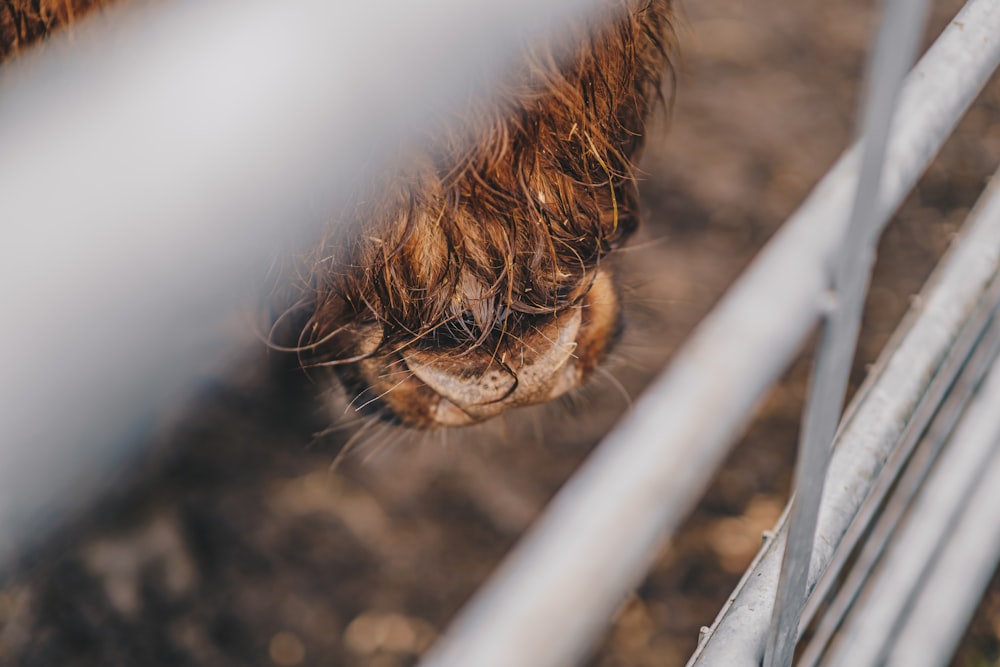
(232,542)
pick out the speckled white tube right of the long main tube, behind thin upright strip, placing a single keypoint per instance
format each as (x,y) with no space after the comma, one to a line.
(880,415)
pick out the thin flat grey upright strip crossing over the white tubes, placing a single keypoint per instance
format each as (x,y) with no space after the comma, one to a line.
(895,51)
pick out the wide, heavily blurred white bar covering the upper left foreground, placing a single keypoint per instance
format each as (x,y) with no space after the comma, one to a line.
(149,169)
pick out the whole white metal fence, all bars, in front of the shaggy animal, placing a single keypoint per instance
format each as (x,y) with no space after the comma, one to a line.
(910,494)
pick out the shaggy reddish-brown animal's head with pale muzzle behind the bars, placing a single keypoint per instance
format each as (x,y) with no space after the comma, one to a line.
(472,276)
